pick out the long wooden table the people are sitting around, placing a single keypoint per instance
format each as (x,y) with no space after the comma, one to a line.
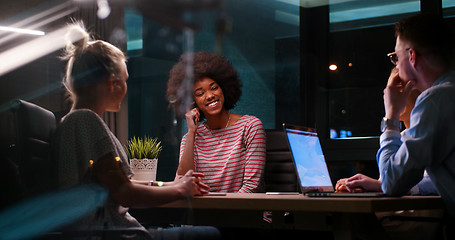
(348,218)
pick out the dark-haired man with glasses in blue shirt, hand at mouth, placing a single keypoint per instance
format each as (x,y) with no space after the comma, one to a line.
(423,56)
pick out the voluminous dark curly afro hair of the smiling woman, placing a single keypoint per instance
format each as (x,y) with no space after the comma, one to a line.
(205,64)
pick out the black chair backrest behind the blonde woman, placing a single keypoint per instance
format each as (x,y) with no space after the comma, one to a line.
(34,127)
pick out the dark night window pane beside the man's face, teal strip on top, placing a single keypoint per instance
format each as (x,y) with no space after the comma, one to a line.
(361,34)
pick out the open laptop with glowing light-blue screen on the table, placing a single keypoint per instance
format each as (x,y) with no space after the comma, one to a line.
(310,165)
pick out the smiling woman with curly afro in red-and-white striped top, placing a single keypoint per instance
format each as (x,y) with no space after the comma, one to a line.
(227,148)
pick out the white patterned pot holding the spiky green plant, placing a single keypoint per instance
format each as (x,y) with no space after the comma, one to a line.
(144,169)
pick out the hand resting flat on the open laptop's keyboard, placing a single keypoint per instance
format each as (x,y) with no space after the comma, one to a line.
(358,183)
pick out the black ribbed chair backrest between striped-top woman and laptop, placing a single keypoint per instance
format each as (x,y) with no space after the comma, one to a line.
(279,174)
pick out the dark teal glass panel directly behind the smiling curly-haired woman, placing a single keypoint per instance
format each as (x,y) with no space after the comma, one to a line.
(262,44)
